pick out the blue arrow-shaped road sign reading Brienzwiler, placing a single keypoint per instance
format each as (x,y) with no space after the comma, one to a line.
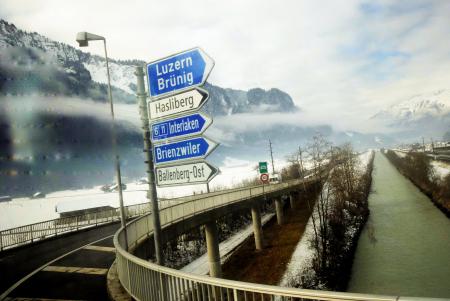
(194,148)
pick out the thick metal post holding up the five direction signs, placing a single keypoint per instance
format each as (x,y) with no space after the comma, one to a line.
(152,193)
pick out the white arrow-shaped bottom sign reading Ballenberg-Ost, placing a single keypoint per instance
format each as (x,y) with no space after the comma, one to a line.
(192,173)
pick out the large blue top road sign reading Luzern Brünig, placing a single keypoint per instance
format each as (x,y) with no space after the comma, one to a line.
(178,72)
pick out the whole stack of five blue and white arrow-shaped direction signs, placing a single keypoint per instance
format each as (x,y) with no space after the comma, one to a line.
(174,101)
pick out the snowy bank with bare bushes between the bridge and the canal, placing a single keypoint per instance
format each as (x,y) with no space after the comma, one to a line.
(344,212)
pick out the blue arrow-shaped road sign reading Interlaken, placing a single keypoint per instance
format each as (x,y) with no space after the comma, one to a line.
(194,124)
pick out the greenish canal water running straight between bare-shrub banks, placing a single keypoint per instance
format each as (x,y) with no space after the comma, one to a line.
(404,248)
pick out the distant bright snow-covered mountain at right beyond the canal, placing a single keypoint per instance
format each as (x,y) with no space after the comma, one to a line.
(425,114)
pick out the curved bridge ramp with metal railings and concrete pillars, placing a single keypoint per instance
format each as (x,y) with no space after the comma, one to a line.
(144,280)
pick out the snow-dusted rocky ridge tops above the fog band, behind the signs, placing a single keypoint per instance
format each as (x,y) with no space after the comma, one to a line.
(24,54)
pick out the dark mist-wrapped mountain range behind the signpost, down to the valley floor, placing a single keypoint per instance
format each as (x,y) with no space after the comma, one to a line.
(49,124)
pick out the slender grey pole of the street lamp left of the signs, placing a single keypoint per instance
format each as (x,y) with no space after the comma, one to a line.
(116,154)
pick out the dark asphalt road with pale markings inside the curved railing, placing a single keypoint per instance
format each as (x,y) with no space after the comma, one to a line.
(78,276)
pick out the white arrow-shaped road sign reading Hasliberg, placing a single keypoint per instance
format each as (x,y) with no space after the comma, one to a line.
(188,101)
